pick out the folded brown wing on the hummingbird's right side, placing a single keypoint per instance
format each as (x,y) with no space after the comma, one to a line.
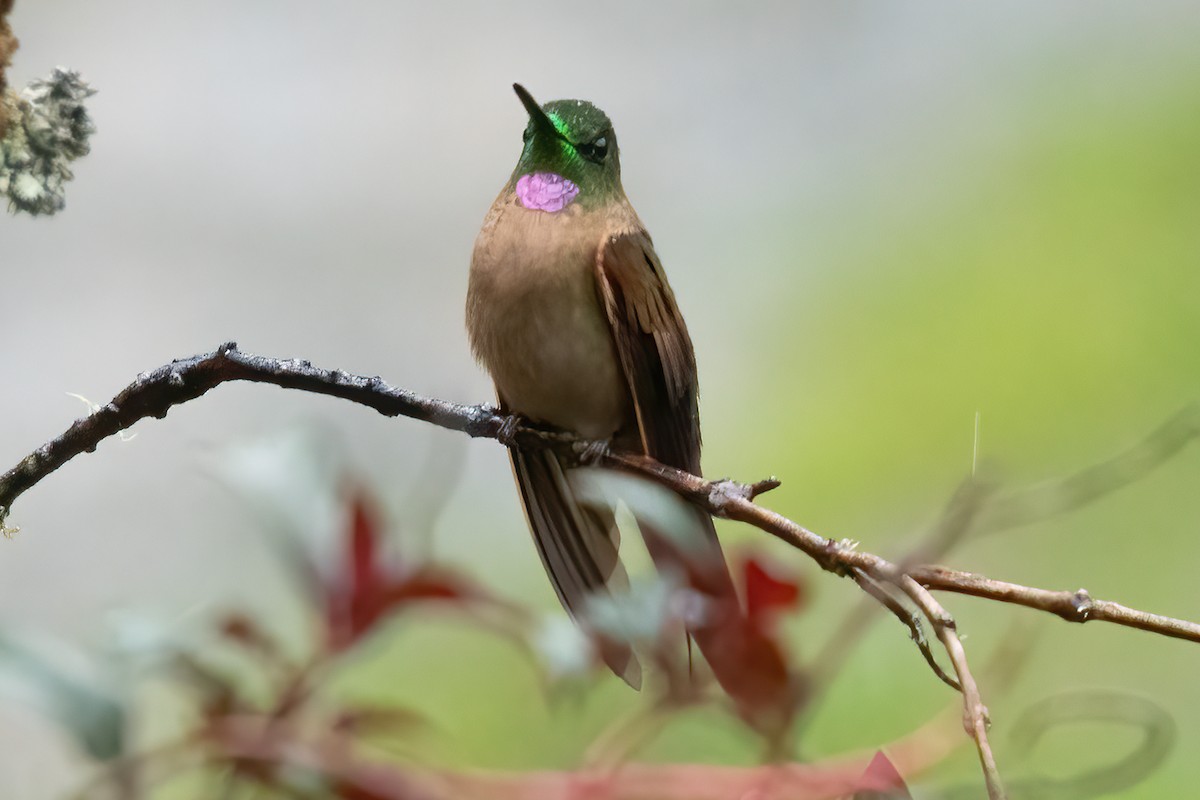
(655,348)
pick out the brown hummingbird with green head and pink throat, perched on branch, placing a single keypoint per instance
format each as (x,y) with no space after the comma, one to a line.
(571,312)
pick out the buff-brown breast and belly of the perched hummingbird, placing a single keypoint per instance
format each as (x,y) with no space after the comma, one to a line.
(537,326)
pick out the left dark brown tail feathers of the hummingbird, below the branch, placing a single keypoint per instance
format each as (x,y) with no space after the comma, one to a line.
(578,545)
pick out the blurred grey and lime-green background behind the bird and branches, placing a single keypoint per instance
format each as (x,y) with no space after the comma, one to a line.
(880,221)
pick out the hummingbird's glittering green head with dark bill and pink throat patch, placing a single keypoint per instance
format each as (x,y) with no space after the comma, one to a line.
(571,155)
